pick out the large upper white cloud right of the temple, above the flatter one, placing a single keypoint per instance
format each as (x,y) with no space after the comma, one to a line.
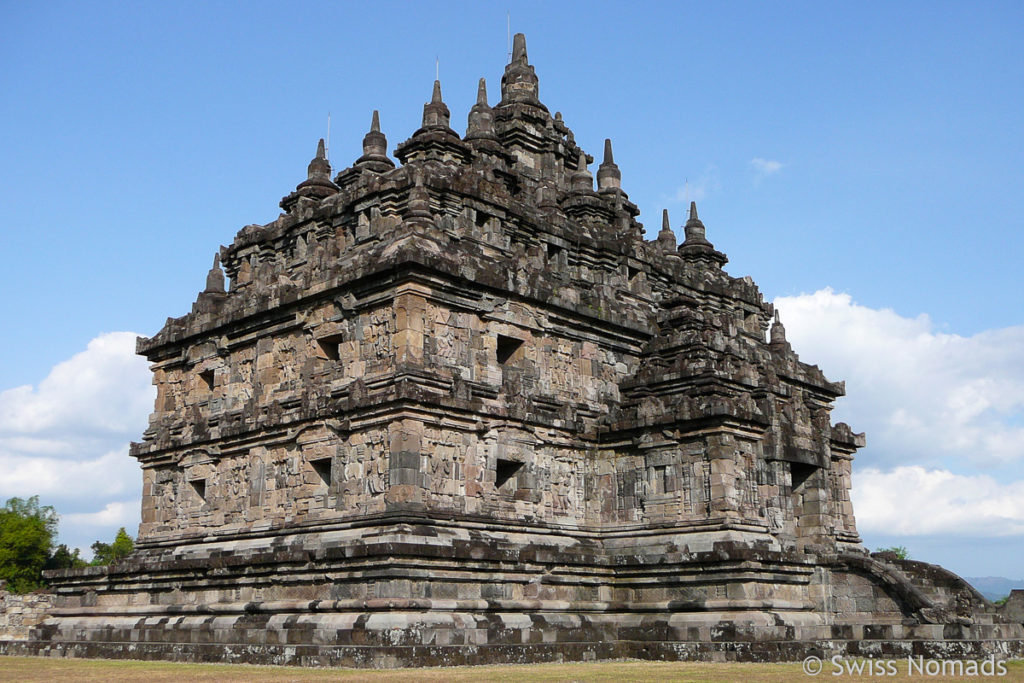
(923,397)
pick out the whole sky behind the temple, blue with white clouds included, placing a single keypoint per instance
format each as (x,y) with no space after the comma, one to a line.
(870,153)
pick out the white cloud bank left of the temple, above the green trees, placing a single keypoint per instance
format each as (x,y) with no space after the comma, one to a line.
(66,440)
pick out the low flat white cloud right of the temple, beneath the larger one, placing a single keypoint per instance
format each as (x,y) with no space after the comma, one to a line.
(915,501)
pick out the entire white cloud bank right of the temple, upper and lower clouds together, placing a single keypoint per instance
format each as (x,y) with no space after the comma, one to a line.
(944,415)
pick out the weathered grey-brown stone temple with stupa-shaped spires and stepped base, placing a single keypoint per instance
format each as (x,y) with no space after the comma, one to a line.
(453,408)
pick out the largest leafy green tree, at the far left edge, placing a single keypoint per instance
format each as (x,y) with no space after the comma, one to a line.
(27,533)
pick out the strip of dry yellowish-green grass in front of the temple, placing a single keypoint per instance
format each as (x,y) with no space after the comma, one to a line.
(42,669)
